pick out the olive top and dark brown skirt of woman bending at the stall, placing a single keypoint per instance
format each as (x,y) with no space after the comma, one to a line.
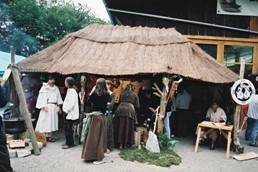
(125,118)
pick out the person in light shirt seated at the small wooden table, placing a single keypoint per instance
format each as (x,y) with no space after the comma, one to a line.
(217,115)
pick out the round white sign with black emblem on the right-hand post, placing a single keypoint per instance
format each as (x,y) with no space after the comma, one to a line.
(242,91)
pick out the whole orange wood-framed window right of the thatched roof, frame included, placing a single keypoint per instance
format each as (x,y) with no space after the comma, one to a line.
(230,51)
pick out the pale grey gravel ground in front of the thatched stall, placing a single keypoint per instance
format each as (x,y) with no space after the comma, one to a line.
(54,159)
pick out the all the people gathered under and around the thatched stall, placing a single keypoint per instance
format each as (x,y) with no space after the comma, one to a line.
(112,125)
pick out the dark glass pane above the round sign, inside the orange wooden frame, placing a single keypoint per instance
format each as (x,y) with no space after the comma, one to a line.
(233,56)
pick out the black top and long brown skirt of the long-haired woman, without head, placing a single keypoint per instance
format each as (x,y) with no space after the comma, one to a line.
(95,144)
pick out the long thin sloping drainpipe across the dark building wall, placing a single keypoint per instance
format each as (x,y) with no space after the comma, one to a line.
(183,20)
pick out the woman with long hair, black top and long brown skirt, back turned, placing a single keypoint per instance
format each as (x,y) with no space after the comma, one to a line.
(95,144)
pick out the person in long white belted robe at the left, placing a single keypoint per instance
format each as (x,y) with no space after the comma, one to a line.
(49,101)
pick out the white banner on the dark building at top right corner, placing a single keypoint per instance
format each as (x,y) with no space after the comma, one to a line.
(238,7)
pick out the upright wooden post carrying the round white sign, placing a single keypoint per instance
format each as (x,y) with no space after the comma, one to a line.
(238,108)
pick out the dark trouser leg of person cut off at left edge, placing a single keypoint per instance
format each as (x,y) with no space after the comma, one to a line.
(5,164)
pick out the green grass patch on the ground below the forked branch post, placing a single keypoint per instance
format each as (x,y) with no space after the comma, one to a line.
(165,158)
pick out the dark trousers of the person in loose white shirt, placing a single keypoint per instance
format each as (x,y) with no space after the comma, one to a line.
(68,127)
